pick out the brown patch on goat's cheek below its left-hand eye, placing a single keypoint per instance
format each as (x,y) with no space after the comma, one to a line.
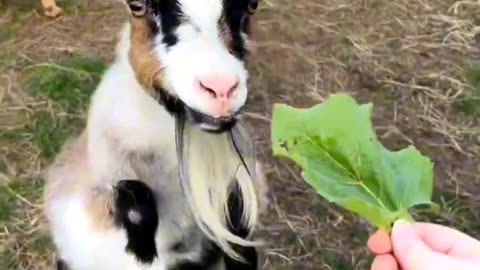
(144,63)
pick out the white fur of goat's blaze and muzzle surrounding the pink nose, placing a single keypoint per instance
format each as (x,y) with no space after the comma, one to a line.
(200,51)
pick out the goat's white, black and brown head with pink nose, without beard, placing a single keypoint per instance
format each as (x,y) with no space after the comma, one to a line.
(191,55)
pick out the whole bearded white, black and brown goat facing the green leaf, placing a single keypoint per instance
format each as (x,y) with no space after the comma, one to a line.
(164,175)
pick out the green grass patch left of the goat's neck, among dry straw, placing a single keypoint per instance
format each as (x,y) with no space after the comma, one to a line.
(68,85)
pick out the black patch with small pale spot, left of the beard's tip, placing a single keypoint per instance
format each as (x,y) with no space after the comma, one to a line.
(134,195)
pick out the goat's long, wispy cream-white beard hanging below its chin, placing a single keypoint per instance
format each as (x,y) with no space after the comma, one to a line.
(211,167)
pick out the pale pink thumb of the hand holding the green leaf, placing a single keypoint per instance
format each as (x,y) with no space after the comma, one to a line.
(413,253)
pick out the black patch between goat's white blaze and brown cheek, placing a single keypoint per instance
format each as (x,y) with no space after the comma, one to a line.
(169,14)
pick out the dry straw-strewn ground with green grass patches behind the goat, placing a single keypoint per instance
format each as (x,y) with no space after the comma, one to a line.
(417,61)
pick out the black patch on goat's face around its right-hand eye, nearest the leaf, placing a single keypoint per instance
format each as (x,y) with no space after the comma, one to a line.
(237,17)
